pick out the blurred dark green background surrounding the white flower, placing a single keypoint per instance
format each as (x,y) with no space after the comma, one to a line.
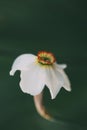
(59,26)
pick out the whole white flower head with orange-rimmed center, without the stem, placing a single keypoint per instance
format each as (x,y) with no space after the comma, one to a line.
(40,71)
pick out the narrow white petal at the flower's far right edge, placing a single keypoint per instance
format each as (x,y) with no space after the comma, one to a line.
(66,84)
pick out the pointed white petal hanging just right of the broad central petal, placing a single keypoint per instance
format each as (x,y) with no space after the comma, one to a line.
(54,81)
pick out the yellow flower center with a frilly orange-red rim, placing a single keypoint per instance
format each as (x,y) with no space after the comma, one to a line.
(46,58)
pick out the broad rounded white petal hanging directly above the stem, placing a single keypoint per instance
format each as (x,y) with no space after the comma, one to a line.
(32,81)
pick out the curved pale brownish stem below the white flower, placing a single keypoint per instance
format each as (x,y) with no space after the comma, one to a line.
(38,100)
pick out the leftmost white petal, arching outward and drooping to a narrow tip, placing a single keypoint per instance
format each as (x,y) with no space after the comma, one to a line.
(22,62)
